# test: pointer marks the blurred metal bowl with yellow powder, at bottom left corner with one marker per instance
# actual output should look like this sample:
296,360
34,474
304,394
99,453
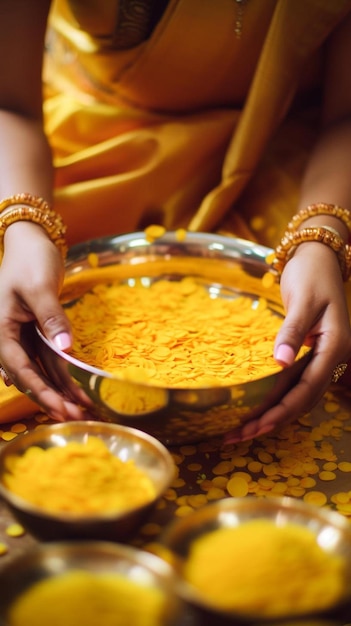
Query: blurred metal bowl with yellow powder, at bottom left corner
66,583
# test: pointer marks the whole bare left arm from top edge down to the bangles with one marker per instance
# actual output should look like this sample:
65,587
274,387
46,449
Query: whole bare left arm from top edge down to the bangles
25,160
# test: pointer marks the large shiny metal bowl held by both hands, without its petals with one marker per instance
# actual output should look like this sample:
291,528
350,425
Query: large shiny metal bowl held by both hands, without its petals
227,267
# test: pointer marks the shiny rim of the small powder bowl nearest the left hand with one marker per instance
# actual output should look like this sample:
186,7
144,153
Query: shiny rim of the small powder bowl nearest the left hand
23,505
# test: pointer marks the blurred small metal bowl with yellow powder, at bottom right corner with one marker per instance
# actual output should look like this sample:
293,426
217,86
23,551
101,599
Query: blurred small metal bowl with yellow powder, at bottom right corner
262,560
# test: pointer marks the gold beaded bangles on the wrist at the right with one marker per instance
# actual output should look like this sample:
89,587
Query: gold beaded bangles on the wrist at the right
322,234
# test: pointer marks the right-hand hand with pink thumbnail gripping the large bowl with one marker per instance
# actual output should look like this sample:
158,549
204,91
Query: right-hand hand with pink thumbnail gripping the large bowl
316,315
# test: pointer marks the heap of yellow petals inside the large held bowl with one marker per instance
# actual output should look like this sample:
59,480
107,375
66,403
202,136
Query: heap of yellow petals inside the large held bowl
173,334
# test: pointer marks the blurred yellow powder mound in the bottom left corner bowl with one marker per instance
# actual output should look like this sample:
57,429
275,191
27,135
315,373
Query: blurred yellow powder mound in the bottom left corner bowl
89,599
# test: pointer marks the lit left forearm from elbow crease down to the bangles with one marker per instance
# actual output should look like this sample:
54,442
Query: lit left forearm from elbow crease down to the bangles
25,157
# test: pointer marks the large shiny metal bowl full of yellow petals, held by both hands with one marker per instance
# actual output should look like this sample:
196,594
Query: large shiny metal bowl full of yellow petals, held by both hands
173,334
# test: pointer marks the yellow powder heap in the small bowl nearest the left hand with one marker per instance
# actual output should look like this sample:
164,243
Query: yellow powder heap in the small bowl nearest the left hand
83,478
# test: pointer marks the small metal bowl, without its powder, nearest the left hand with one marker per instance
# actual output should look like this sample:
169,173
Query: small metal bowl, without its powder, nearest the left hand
148,454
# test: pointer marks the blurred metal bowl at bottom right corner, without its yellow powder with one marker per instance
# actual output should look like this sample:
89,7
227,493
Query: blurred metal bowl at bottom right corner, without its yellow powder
332,531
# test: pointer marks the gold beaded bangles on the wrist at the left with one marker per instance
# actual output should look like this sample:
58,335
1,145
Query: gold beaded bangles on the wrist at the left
26,207
